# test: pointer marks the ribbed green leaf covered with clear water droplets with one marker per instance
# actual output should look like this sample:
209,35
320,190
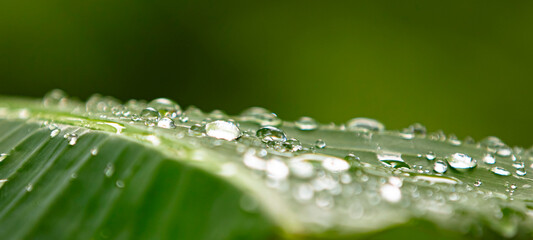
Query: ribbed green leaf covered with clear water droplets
106,170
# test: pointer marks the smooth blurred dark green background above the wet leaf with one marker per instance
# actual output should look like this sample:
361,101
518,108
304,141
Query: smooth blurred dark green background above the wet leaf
461,66
